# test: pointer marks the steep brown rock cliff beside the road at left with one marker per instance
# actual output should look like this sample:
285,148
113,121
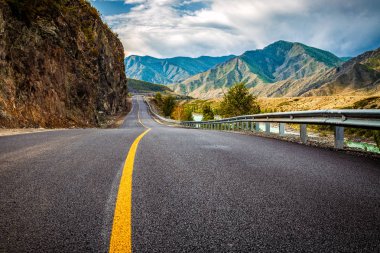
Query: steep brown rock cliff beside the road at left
60,65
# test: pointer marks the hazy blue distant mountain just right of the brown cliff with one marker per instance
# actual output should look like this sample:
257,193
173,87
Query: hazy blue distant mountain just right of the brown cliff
170,70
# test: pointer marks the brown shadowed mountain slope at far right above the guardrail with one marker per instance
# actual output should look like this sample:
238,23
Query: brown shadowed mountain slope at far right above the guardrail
358,76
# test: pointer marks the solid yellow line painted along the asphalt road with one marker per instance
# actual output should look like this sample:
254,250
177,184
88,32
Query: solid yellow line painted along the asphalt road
121,235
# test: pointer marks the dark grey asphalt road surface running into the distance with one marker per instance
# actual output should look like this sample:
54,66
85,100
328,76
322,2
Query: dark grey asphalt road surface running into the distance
193,190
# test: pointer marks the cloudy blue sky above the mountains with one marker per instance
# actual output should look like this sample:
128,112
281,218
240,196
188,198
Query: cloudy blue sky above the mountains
169,28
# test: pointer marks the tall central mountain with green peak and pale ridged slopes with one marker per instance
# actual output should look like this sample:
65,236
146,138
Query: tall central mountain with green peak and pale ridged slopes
277,62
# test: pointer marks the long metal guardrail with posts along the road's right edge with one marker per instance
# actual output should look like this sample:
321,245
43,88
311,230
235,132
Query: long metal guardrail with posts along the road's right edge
368,119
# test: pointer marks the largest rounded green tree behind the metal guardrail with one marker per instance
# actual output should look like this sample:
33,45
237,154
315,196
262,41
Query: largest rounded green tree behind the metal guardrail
238,101
